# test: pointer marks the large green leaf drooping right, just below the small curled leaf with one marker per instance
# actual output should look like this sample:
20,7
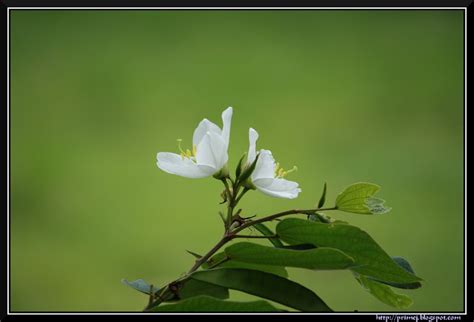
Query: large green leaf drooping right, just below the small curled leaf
370,258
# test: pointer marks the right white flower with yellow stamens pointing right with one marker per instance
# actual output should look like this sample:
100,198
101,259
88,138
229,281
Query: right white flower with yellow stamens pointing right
268,176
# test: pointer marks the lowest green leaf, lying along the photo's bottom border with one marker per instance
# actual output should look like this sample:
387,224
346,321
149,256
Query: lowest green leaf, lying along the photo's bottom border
209,304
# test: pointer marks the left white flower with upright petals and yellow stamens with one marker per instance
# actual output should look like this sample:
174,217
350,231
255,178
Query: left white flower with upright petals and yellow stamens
209,153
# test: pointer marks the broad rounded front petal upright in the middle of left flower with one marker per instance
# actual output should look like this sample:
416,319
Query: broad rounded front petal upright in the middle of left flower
212,151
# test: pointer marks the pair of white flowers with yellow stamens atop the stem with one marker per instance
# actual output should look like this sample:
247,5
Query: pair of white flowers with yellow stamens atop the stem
209,156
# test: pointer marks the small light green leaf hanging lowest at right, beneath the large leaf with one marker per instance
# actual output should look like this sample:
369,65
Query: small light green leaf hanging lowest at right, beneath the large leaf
384,293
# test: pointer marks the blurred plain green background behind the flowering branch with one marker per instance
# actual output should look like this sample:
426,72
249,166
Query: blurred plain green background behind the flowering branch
346,96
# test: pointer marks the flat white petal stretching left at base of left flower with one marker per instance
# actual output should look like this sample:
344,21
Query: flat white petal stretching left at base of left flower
173,163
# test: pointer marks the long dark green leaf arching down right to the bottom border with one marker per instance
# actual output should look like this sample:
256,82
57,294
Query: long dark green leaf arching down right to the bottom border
265,285
